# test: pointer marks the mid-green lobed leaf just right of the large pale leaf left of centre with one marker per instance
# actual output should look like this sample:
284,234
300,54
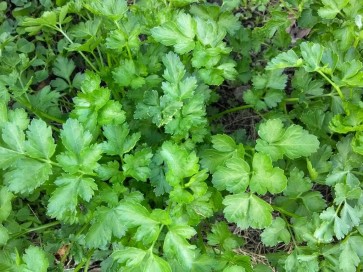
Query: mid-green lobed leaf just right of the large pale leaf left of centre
119,141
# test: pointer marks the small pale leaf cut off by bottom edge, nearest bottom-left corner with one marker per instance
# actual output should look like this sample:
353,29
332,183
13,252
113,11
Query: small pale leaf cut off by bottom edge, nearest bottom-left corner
35,260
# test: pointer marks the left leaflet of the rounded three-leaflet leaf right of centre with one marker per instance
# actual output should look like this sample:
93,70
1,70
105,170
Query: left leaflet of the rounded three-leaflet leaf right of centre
233,177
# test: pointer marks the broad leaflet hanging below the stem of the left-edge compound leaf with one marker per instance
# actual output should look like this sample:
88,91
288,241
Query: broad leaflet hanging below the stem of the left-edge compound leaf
26,175
